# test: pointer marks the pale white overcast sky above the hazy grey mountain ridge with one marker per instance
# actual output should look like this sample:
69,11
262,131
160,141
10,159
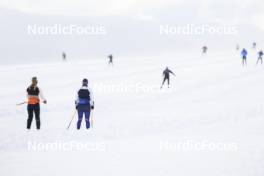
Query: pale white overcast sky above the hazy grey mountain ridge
124,7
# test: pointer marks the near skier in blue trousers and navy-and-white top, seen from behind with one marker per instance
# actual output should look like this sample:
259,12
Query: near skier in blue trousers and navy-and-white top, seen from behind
84,104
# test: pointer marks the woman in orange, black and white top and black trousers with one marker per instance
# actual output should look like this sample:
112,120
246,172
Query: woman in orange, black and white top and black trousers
34,94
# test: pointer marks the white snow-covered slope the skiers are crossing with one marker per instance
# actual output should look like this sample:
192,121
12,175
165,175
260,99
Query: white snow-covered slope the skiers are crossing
212,99
